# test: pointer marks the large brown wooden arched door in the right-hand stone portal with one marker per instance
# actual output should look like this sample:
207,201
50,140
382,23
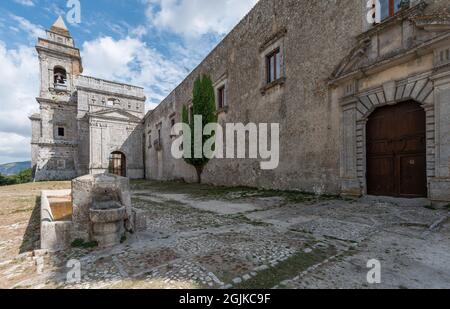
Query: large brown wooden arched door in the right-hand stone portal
396,151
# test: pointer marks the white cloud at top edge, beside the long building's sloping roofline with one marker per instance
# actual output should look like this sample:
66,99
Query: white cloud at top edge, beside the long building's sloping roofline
193,18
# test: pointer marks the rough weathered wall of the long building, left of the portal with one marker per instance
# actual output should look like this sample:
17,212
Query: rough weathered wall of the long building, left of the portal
315,36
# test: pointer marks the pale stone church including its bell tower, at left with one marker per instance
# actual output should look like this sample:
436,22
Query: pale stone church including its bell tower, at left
85,125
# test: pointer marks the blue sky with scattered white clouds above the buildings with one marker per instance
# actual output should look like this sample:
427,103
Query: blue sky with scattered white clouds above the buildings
152,43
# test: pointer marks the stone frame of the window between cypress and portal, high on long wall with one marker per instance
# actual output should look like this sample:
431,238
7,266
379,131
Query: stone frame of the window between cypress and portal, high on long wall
276,42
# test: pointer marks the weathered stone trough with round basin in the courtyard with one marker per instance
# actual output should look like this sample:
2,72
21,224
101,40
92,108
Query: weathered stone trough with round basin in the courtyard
97,209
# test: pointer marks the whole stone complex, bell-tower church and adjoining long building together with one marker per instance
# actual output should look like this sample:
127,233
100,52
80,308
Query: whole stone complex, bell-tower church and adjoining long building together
363,105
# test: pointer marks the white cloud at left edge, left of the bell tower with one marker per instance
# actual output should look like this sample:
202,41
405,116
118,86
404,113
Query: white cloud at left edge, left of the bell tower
19,86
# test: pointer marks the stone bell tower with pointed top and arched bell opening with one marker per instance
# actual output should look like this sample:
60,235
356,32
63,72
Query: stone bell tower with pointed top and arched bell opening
54,129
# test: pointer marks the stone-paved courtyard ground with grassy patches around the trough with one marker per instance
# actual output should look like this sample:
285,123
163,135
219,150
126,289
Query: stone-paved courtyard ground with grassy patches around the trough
210,237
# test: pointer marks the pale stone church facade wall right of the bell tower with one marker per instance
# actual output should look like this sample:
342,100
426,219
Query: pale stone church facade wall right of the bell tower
110,116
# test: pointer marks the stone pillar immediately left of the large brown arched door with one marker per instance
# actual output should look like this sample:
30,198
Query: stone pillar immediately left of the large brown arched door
350,185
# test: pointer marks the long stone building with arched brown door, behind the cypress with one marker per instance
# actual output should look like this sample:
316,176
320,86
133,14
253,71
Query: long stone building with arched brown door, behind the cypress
363,105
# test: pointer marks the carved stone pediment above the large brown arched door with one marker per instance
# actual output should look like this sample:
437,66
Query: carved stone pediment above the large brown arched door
398,37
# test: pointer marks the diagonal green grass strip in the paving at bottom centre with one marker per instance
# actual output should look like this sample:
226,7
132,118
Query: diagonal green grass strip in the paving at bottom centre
288,269
